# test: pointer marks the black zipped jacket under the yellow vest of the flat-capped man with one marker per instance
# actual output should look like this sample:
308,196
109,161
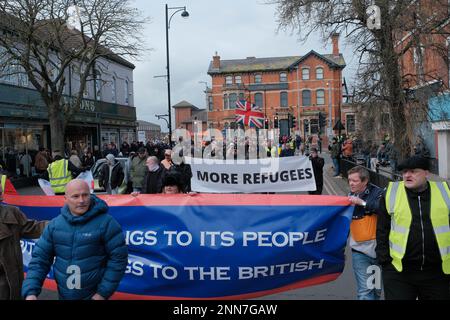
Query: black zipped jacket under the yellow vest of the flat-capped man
422,250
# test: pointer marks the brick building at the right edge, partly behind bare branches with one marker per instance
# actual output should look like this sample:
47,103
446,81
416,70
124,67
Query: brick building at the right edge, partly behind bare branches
426,78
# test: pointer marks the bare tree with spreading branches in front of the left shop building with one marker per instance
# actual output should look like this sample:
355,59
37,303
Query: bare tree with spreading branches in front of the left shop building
39,41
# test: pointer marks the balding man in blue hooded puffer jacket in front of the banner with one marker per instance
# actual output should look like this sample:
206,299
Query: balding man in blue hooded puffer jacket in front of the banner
89,247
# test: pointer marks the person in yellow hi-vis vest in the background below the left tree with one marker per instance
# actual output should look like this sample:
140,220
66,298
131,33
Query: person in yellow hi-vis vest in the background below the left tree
60,172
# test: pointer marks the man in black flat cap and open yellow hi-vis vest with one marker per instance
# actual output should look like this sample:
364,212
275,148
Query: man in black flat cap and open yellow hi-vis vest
413,235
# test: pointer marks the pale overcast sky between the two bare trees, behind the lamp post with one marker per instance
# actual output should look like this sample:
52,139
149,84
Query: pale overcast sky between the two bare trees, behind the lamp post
236,29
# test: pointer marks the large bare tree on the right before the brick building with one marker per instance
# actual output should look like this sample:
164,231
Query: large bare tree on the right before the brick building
406,26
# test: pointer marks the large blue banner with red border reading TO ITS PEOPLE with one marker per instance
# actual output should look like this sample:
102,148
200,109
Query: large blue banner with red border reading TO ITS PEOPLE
218,246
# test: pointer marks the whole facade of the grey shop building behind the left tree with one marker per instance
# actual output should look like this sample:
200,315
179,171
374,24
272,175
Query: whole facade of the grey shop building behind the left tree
107,113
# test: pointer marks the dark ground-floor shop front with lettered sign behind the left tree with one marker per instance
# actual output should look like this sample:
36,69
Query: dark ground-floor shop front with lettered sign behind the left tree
24,126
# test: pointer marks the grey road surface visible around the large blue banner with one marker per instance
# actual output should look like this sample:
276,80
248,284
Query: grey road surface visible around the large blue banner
344,288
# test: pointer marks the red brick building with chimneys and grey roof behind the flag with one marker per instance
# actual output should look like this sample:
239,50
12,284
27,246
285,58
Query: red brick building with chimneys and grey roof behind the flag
300,86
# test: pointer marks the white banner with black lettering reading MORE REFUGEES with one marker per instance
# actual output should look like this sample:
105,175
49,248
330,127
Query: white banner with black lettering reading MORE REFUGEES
287,174
